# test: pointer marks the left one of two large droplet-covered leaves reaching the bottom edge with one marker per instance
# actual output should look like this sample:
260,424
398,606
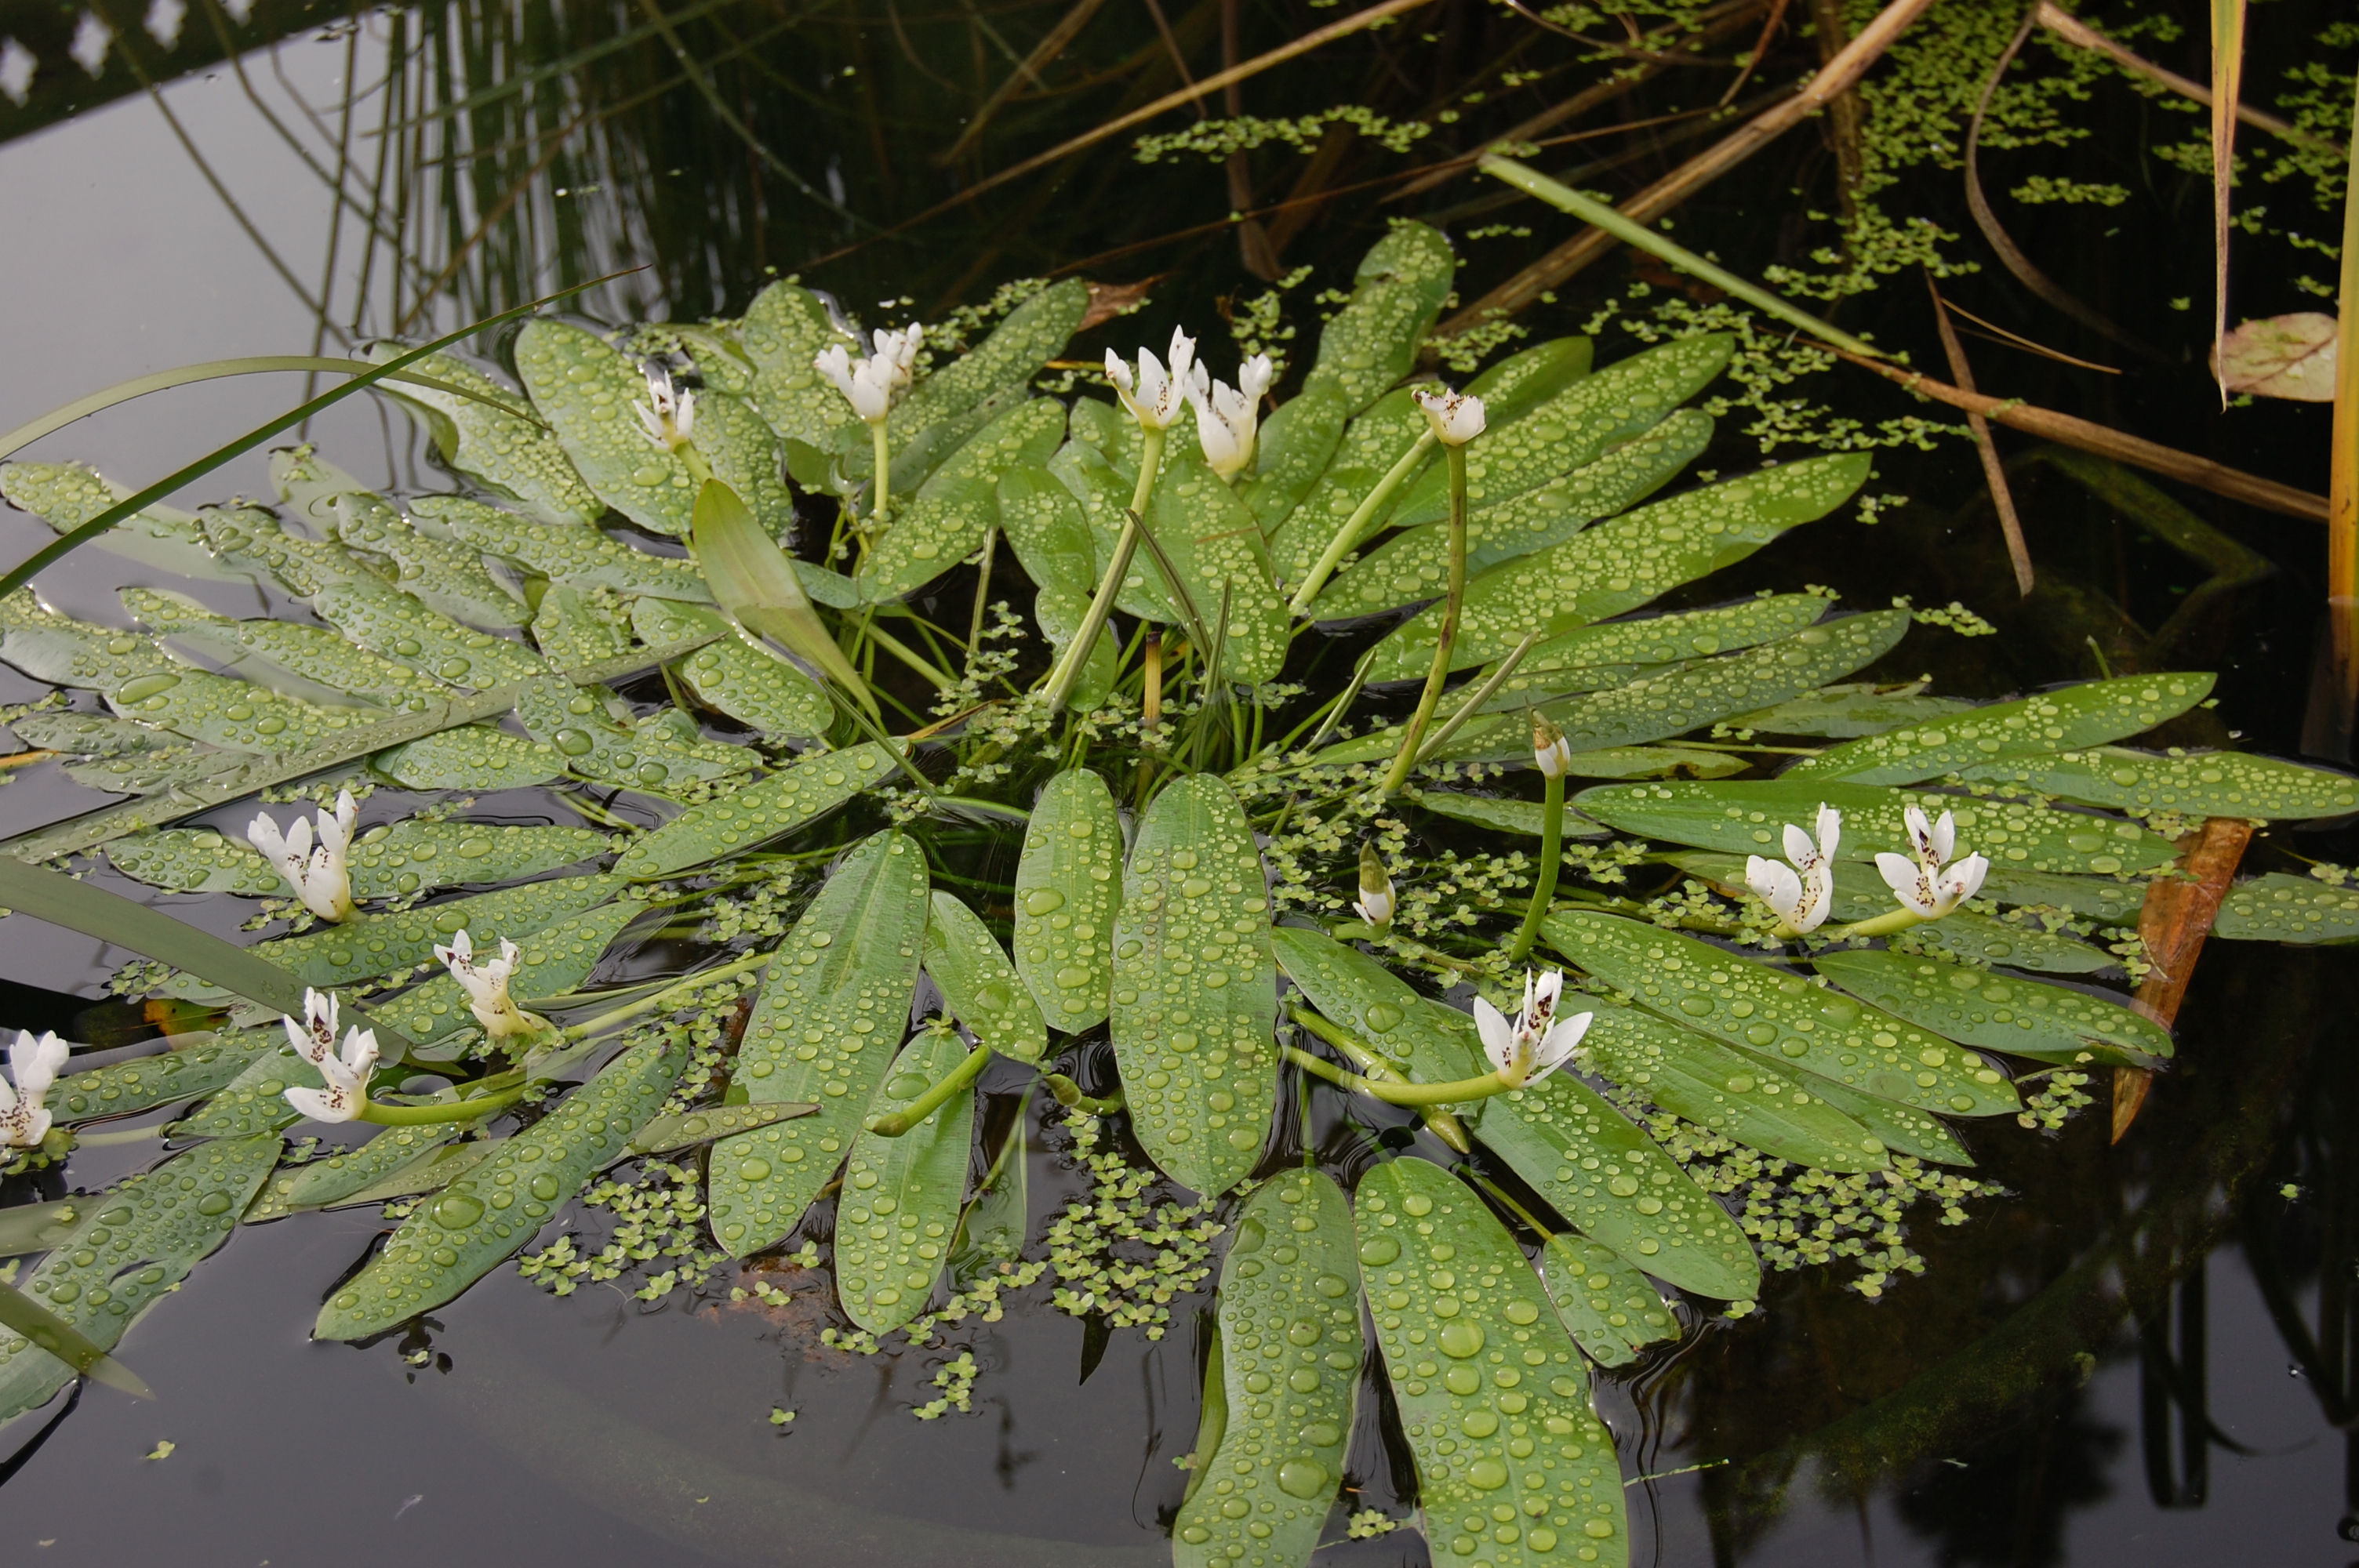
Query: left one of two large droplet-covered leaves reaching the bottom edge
1289,1371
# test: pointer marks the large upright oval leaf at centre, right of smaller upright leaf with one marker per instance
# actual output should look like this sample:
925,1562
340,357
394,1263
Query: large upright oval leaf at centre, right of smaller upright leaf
1197,989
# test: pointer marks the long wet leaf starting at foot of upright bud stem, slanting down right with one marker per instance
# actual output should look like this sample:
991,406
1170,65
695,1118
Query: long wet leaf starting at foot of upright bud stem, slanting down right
1770,1010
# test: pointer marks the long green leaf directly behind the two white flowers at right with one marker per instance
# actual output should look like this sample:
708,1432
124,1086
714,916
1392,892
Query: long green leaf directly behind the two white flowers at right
1747,819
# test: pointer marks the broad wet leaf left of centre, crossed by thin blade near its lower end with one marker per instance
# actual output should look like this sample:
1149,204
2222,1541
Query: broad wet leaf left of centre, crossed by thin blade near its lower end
827,1022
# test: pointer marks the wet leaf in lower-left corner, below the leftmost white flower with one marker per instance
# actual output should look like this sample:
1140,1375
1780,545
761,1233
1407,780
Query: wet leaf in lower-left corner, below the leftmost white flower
136,1244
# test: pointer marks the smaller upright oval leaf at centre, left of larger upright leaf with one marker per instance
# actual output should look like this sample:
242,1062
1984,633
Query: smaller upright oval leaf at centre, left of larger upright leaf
1070,888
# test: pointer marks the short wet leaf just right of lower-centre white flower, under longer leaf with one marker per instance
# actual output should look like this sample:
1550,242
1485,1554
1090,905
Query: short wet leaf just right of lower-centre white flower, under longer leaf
1728,1093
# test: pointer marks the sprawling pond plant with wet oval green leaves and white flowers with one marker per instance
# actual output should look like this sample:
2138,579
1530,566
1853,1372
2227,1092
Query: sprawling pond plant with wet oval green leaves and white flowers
1183,904
